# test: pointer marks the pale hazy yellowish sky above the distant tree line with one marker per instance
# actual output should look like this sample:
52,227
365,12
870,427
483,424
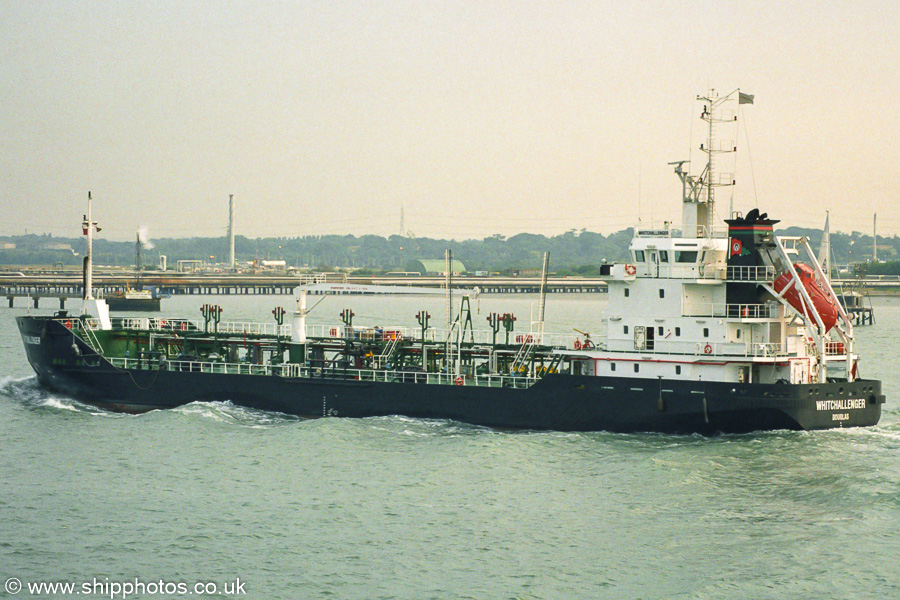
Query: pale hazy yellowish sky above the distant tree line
477,117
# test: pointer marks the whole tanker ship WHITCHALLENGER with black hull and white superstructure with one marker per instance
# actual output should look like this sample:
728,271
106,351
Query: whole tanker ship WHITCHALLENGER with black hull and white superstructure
708,328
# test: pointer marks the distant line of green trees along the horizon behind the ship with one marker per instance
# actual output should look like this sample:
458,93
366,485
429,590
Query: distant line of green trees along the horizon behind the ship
574,252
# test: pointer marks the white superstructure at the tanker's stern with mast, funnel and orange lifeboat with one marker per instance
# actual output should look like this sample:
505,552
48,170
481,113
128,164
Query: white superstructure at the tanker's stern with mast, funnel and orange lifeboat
730,302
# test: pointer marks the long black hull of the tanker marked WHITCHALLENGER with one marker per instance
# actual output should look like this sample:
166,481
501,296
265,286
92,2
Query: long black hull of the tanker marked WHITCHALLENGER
556,402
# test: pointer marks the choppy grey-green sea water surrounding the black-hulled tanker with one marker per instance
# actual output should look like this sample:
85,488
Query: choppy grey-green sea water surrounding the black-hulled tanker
215,500
